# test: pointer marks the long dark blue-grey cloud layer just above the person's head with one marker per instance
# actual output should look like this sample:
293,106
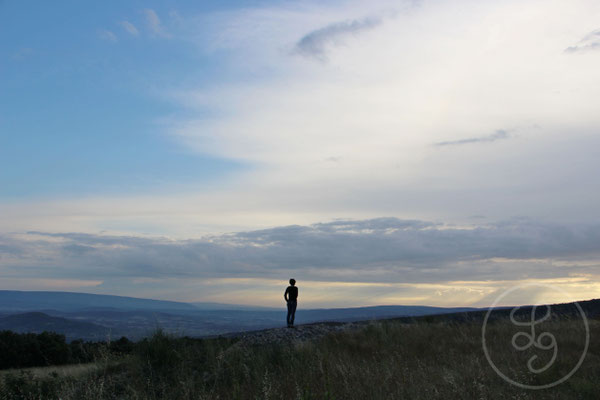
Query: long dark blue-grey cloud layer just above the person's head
382,248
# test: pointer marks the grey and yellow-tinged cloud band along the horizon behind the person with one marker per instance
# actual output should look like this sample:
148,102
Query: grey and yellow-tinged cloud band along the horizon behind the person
372,261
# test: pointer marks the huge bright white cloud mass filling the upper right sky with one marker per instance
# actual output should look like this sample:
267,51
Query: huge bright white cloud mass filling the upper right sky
377,106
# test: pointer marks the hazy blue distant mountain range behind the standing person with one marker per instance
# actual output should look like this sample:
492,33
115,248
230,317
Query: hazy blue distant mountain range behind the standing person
98,317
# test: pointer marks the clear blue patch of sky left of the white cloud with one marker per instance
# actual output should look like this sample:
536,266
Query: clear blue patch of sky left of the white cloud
79,110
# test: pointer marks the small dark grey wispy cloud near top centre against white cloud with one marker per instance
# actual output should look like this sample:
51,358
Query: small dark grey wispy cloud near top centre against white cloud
316,43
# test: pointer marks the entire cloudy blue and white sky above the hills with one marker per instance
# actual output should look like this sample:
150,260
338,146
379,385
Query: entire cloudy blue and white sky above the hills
384,152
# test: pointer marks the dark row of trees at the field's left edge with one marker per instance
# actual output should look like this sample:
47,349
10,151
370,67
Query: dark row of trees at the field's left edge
23,350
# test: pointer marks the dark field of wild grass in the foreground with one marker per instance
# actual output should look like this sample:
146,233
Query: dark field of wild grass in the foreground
383,360
